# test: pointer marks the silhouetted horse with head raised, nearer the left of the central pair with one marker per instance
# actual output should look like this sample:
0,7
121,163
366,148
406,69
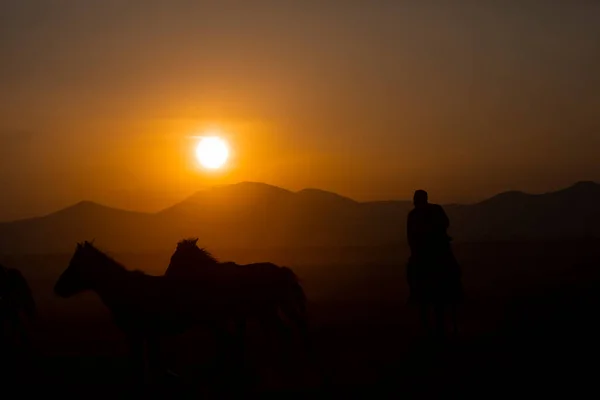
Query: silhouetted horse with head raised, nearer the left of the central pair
145,307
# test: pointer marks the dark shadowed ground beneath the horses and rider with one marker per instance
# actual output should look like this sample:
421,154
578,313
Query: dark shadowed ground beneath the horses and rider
529,326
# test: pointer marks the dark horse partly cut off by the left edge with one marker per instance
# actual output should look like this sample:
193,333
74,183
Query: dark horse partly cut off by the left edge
15,299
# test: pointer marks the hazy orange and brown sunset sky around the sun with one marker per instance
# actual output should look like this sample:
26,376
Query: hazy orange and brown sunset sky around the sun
371,99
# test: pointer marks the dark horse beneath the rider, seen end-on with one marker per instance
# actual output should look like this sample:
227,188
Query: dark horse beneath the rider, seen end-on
435,283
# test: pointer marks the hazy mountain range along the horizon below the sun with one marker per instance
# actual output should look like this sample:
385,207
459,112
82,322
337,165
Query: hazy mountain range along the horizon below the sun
257,215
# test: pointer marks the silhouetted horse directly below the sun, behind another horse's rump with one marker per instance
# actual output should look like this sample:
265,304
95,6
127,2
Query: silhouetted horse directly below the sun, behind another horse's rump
268,293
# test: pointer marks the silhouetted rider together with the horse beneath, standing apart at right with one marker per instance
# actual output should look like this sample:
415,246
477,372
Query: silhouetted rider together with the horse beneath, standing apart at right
433,274
